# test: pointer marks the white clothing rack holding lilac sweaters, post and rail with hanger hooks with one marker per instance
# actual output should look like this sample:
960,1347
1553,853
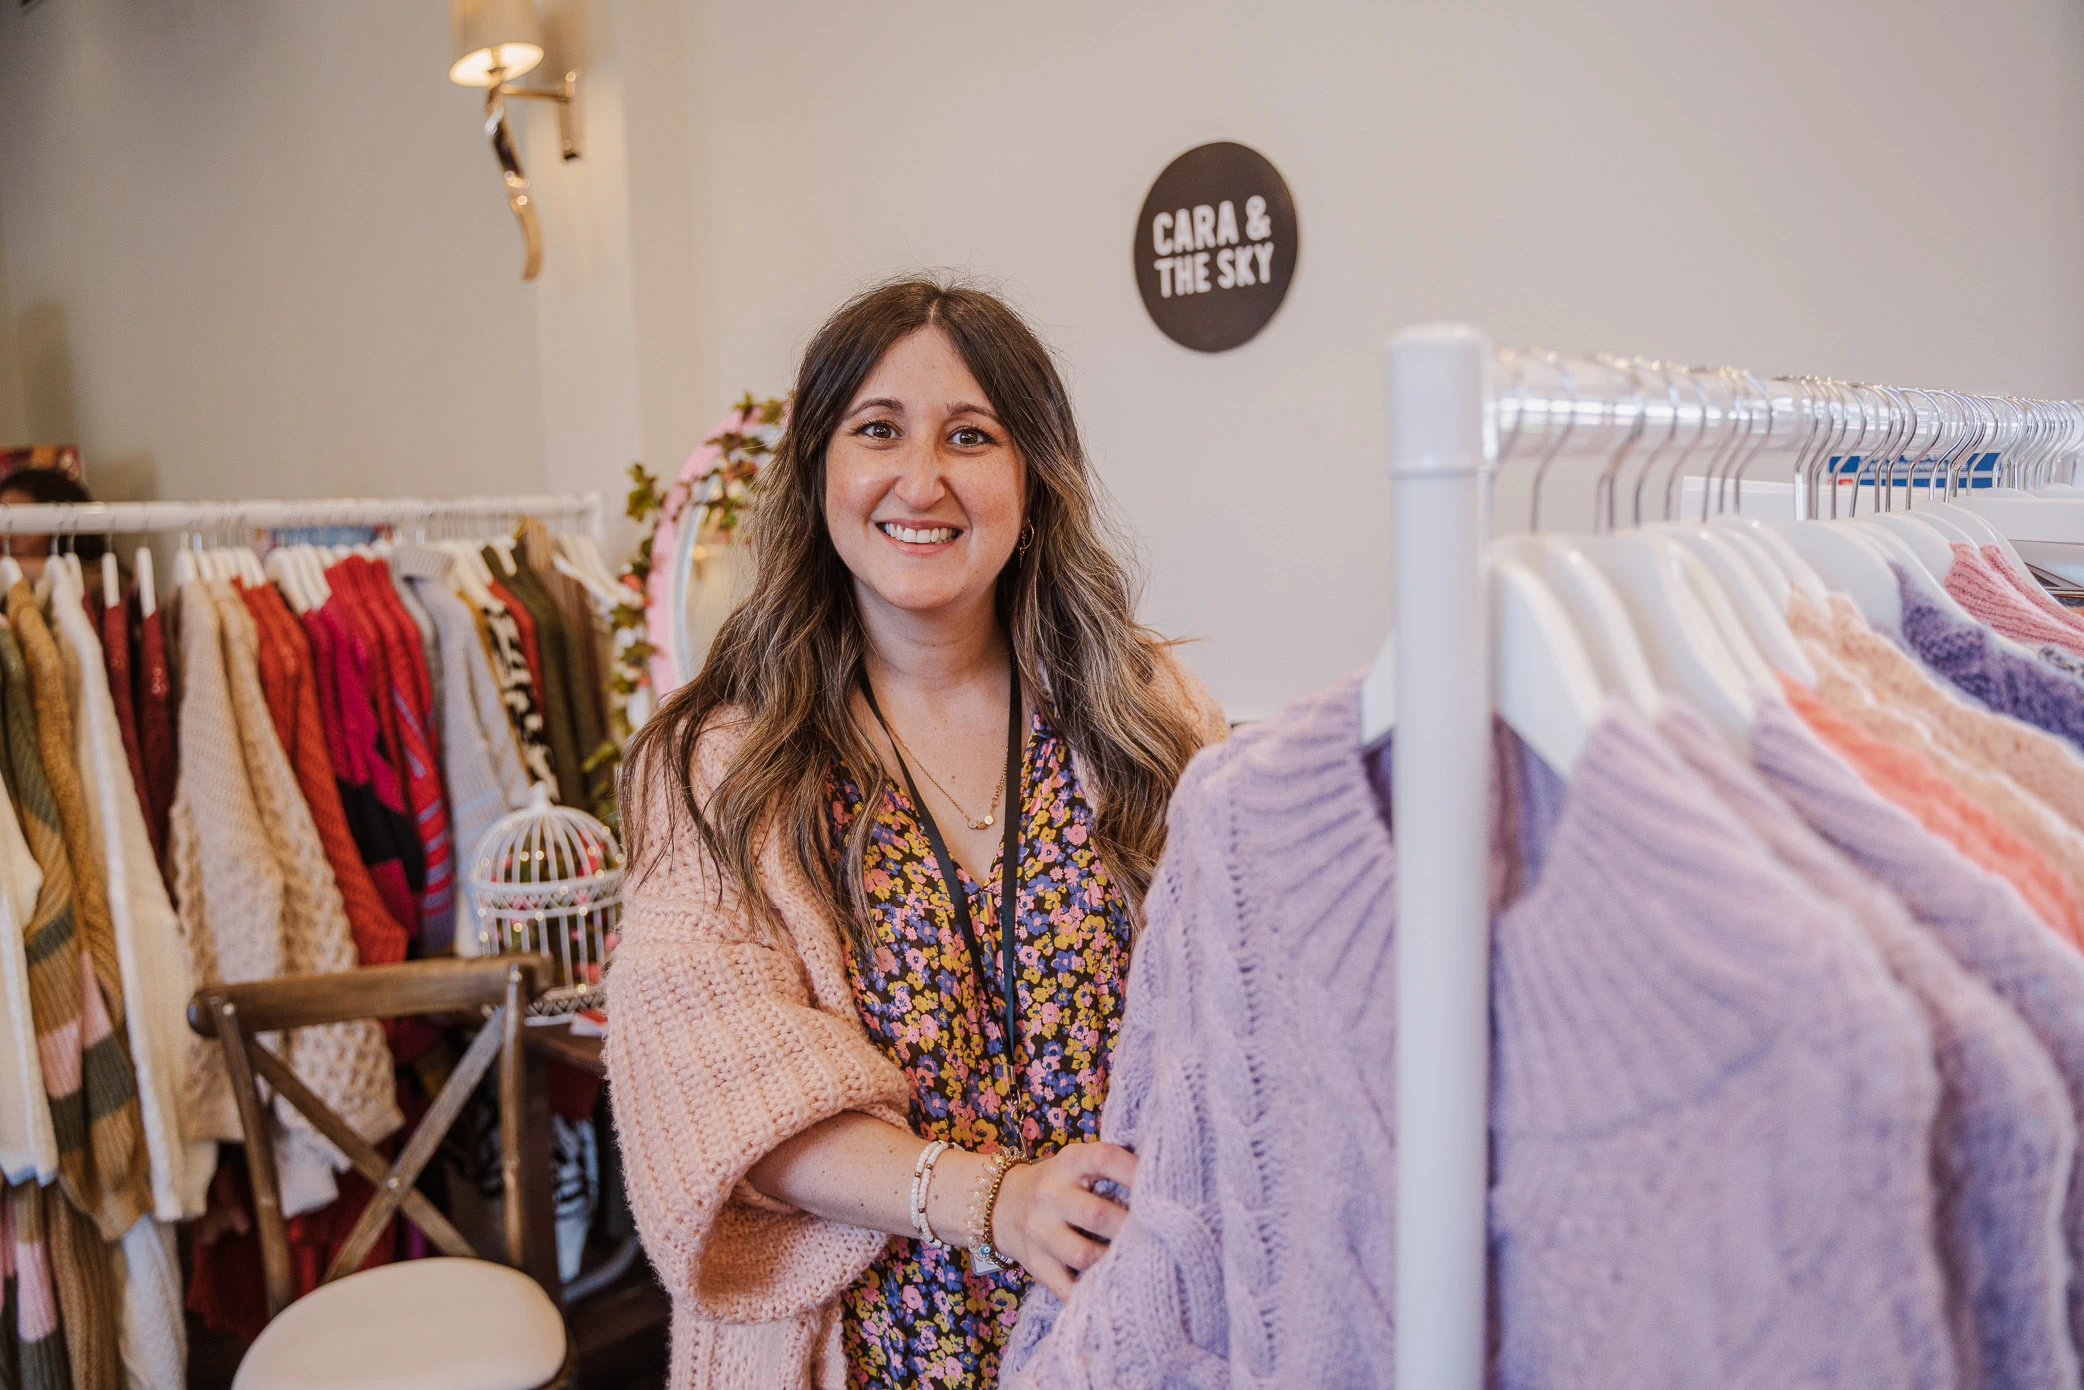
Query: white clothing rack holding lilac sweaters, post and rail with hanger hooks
1445,424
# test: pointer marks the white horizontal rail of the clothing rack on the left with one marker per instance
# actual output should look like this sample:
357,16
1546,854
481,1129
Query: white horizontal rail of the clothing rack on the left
282,514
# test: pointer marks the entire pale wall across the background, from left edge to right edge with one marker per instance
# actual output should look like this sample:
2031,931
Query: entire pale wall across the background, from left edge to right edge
259,247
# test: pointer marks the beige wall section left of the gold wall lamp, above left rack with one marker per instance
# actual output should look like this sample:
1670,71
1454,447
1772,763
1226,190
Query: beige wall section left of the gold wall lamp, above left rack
259,251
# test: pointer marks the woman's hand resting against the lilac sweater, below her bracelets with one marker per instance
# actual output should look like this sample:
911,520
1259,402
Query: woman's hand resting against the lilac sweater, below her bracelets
1047,1212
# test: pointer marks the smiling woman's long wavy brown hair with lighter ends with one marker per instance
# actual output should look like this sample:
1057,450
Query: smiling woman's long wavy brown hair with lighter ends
789,660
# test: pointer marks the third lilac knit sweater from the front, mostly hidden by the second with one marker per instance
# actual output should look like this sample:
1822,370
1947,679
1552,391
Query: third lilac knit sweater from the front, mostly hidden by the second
2004,1139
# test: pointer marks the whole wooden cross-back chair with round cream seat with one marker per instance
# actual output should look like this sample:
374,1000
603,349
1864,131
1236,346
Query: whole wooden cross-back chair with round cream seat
462,1322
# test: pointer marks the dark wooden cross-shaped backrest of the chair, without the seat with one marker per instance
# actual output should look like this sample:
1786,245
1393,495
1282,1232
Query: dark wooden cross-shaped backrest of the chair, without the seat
239,1014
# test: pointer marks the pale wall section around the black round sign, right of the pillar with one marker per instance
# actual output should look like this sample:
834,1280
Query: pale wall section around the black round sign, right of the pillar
1866,189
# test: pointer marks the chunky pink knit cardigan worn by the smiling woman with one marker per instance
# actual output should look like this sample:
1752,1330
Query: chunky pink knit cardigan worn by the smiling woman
722,1047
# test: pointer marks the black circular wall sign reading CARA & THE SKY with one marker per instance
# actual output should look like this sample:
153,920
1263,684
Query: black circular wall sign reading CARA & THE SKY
1216,247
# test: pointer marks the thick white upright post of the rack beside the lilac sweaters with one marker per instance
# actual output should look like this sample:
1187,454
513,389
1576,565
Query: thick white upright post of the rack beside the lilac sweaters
1441,449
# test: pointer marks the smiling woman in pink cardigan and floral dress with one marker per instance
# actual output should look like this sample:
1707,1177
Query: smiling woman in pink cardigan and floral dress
891,849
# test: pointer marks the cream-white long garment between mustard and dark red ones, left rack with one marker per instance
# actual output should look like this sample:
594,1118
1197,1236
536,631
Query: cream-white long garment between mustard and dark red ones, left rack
147,930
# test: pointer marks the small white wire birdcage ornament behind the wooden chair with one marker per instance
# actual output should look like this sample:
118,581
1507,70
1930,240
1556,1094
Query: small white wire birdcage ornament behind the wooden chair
551,880
